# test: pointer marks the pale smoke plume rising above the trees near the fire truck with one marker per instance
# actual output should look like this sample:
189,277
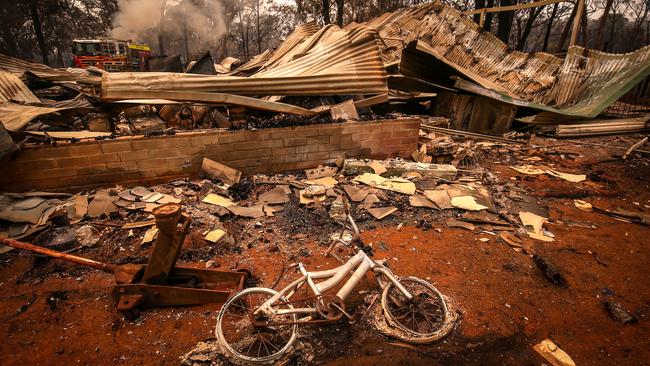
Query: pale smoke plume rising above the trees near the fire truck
200,20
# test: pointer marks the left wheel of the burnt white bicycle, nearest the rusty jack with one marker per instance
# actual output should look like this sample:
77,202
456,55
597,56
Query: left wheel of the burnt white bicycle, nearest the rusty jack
250,338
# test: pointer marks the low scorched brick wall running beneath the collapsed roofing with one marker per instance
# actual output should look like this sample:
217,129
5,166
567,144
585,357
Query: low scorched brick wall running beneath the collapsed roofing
144,161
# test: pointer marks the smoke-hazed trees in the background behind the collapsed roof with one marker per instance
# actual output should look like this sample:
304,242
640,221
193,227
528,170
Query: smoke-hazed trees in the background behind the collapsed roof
43,30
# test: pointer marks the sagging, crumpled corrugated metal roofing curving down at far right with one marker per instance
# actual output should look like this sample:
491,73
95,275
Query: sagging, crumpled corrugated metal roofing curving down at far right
584,83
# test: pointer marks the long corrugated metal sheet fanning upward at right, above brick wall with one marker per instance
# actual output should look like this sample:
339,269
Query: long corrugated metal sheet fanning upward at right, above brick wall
349,64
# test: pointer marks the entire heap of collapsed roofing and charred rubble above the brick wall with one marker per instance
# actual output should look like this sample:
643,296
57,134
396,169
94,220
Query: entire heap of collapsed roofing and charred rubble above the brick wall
332,74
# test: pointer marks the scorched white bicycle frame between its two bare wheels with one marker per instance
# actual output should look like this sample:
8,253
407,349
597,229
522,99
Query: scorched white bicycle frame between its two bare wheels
332,277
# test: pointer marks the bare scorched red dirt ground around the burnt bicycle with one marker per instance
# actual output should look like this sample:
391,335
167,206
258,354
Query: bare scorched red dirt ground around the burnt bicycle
54,312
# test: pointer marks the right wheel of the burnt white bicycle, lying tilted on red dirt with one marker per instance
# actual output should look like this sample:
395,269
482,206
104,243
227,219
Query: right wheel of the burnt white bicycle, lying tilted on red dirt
422,317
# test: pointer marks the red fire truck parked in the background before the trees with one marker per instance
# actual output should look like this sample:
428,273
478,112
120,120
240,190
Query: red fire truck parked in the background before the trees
110,54
